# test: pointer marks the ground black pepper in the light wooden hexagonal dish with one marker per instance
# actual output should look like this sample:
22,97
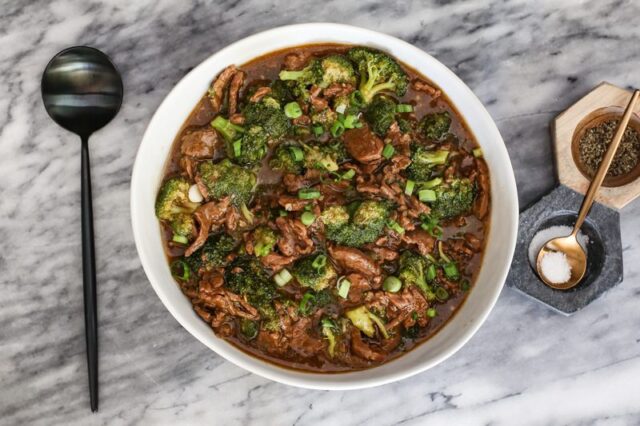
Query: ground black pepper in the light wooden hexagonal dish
596,140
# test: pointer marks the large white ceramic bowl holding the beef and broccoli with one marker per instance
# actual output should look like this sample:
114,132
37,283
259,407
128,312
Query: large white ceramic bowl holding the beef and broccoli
166,122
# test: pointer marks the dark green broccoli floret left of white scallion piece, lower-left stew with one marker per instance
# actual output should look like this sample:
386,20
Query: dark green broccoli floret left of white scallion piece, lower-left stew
246,277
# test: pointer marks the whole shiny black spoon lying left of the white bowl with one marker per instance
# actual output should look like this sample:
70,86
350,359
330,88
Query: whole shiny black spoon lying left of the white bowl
82,92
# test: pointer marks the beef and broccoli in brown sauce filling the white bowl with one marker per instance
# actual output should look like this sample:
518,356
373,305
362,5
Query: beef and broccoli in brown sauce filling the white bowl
324,208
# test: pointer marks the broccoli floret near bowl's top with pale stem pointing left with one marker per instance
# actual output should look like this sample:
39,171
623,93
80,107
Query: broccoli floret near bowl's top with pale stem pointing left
323,72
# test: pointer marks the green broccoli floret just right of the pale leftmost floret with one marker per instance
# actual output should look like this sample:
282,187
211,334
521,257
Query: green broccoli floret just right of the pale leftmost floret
227,179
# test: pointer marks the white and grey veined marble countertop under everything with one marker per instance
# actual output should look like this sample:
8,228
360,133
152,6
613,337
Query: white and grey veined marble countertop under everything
527,365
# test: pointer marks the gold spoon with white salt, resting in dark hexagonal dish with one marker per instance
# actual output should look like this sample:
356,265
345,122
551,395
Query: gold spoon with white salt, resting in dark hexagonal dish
569,245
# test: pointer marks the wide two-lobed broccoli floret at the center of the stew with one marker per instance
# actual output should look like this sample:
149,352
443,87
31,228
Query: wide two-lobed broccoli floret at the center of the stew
365,225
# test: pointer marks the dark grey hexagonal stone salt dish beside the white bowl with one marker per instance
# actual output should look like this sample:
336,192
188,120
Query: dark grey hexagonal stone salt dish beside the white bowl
604,267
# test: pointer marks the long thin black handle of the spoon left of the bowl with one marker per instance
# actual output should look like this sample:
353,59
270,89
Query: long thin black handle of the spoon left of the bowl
89,278
